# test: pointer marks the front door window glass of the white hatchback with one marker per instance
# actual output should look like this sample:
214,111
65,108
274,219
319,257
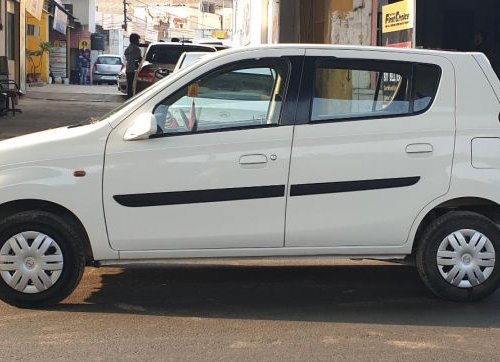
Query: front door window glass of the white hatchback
240,96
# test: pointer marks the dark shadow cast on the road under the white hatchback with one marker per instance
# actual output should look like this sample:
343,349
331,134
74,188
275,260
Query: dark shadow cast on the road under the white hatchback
382,294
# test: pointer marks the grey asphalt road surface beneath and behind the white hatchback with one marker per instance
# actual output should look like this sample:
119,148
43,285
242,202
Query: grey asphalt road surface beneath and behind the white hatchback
254,310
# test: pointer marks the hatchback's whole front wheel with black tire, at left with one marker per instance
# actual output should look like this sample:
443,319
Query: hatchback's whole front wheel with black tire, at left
47,253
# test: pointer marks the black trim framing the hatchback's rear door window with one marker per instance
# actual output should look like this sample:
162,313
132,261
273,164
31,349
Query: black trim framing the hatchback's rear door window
306,96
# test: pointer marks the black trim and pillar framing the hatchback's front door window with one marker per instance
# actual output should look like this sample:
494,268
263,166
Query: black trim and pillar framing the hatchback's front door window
295,66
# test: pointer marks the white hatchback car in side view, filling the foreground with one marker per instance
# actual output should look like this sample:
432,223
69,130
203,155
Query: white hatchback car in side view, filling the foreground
273,151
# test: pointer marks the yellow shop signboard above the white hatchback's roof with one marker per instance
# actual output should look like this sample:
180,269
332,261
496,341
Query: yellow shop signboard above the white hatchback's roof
398,20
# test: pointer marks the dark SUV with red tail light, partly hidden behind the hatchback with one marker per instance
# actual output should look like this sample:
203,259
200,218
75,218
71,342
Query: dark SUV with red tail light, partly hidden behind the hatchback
160,60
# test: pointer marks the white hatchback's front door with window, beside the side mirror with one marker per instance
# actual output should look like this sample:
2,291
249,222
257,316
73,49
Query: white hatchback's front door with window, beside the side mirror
215,175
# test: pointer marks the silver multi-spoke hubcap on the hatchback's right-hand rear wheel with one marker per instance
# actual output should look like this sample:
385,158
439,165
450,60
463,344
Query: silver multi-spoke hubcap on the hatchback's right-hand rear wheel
466,258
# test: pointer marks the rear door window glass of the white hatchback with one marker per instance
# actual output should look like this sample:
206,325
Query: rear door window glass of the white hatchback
359,89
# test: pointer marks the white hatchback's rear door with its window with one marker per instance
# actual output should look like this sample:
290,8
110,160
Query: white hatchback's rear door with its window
372,147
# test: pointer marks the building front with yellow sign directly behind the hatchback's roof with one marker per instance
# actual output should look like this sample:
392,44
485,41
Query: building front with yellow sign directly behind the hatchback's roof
461,25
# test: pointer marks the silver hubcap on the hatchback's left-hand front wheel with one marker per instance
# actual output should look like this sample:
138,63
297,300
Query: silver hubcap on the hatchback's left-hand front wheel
30,262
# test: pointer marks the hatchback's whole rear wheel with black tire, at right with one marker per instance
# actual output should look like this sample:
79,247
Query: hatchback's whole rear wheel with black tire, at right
458,256
